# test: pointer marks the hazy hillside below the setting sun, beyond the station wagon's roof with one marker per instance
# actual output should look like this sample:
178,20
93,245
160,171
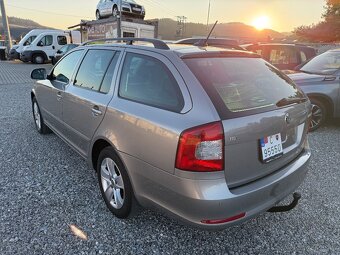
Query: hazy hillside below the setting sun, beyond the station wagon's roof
168,28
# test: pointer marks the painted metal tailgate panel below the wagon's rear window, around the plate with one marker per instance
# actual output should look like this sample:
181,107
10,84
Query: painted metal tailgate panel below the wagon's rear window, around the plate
243,149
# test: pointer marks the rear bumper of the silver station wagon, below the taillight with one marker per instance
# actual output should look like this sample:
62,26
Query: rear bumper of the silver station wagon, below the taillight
211,199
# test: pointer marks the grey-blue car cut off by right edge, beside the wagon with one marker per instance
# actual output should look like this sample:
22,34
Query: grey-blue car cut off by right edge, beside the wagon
319,79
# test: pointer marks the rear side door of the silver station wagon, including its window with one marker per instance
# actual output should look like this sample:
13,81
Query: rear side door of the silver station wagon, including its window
86,99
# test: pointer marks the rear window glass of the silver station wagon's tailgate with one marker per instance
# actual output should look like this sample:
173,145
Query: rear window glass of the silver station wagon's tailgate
243,86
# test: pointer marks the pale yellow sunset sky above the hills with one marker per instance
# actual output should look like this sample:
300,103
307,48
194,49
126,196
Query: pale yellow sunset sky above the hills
280,15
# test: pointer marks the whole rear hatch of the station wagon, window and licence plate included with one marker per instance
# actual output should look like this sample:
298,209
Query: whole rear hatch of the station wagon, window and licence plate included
261,109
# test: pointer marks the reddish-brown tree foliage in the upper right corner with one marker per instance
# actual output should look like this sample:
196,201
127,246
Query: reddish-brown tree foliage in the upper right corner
328,30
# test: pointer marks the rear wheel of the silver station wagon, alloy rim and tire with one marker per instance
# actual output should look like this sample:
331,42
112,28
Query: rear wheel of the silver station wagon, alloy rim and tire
115,185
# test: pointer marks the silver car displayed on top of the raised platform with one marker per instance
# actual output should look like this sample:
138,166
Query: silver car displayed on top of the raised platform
110,8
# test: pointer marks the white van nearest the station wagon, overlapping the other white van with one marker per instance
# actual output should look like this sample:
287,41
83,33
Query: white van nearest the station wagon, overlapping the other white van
45,45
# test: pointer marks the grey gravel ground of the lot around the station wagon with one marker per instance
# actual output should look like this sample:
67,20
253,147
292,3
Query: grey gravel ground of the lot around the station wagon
48,193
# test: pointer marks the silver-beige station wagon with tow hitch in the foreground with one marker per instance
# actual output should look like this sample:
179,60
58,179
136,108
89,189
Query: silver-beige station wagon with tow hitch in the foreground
210,136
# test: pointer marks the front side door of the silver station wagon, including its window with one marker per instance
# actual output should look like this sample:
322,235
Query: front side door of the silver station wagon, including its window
50,92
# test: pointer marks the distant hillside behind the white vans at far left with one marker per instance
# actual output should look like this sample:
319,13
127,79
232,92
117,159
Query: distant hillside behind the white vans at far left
20,27
